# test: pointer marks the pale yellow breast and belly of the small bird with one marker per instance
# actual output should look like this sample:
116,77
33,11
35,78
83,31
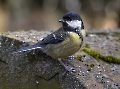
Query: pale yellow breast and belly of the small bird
68,47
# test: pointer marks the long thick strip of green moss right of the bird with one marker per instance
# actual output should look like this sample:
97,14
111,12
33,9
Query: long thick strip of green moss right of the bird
98,56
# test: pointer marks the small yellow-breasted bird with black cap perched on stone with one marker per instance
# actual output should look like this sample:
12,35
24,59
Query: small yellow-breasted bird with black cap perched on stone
64,42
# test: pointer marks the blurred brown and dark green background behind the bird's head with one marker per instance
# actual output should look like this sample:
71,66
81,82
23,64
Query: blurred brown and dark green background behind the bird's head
44,14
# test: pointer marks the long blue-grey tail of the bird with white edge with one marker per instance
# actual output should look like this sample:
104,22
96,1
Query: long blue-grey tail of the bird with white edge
28,48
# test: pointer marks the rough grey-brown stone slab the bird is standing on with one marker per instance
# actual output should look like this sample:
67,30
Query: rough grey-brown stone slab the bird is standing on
36,70
